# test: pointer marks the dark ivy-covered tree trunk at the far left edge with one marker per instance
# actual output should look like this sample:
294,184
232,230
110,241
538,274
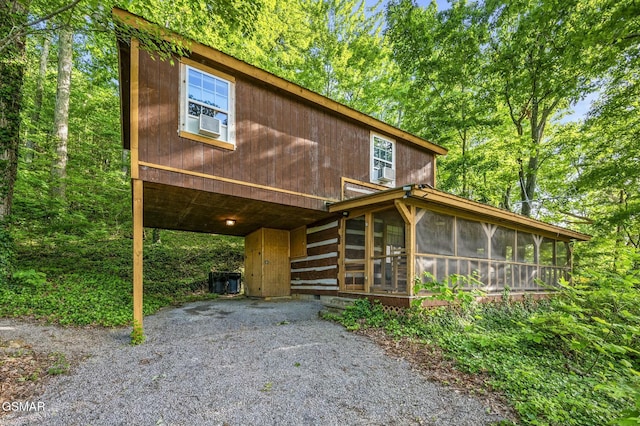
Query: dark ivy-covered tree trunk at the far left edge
12,15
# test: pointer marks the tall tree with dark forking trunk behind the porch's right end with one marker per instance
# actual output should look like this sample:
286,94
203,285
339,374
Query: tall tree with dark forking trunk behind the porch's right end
544,57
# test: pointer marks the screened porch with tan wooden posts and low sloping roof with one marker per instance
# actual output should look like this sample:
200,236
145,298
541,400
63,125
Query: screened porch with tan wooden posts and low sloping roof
390,237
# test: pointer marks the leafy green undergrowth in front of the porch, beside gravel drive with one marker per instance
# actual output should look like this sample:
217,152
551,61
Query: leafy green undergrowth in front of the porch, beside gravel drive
571,360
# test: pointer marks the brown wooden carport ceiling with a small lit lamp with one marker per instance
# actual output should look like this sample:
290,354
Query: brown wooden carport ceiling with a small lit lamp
170,207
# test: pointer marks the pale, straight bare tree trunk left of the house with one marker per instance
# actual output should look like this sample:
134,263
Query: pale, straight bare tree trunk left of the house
61,114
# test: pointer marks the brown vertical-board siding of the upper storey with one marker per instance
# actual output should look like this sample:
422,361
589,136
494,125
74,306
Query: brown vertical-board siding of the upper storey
281,142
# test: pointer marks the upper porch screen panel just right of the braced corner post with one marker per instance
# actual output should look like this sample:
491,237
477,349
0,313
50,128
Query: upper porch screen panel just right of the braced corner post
434,233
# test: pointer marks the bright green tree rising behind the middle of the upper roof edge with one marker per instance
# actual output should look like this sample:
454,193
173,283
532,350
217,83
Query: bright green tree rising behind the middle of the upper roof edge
346,59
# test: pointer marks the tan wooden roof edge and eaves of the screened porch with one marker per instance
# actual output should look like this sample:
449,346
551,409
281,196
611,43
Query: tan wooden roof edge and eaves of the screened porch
424,196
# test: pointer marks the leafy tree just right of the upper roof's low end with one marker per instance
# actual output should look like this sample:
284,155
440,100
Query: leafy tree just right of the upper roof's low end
440,55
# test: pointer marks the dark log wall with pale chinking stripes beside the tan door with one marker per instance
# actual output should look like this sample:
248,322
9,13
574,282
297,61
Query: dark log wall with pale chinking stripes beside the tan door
317,273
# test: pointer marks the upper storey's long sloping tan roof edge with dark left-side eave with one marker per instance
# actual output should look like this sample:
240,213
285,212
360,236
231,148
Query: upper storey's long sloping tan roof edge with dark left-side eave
250,72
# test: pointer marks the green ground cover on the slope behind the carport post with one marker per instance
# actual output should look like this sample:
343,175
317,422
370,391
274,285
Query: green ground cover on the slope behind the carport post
73,282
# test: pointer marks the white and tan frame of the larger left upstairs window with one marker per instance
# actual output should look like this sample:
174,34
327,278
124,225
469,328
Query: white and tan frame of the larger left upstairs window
184,131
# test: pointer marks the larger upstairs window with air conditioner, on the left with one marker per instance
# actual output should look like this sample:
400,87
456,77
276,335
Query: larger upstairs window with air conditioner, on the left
207,107
